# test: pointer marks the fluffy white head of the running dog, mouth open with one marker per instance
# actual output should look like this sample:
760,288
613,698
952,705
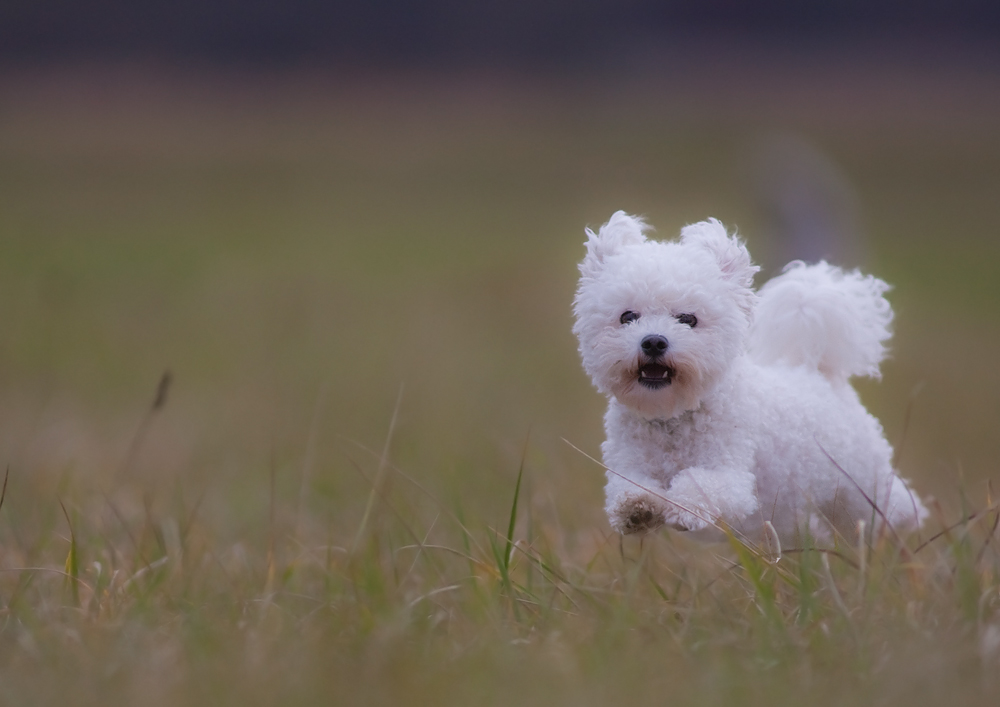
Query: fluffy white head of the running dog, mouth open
659,322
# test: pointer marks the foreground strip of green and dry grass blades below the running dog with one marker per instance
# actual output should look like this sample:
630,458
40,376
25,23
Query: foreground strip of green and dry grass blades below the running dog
426,606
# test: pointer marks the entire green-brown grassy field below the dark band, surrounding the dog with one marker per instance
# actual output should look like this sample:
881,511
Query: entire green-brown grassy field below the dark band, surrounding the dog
357,486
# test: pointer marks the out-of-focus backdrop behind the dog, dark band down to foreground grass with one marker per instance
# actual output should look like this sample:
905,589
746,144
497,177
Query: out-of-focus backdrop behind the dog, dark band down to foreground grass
316,215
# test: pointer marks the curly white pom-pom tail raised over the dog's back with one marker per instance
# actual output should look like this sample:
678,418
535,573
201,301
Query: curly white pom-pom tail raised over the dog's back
822,317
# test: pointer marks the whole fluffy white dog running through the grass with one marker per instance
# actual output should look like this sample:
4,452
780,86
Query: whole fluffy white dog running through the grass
732,409
